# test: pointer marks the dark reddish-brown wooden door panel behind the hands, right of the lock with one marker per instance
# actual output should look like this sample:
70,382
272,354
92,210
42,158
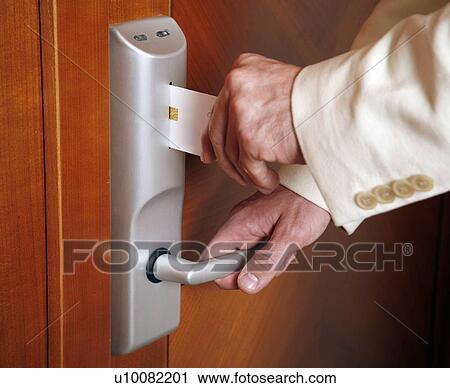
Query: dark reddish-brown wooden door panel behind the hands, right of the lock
301,319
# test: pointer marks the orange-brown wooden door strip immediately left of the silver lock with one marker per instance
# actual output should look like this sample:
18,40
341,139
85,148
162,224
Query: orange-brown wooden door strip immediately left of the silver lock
76,106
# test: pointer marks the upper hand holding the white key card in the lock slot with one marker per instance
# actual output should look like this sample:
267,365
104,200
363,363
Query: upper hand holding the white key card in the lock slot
251,122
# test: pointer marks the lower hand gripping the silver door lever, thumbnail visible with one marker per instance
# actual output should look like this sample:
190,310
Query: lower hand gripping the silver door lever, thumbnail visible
287,221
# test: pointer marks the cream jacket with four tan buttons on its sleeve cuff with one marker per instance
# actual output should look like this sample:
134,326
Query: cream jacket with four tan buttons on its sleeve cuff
374,123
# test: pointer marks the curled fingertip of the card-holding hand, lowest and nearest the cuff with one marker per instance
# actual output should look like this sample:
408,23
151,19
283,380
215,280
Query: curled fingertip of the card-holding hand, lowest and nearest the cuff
261,175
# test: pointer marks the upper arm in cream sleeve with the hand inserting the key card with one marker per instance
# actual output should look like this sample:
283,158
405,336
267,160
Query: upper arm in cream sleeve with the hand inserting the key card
365,119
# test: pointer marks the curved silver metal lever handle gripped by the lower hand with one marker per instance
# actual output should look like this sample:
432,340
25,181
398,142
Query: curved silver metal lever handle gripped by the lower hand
170,268
